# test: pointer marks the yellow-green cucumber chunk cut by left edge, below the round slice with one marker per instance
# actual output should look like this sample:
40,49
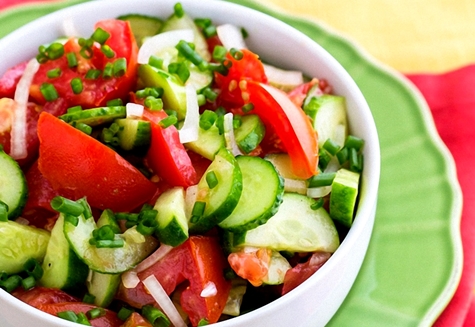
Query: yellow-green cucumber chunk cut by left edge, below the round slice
19,243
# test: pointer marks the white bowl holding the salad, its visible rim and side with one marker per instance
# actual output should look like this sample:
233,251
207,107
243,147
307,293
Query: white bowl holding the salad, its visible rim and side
315,301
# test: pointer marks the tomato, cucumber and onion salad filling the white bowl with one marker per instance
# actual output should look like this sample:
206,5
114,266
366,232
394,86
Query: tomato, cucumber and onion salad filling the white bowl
160,173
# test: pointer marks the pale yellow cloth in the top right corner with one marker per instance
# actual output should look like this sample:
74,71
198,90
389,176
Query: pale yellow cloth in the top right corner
412,36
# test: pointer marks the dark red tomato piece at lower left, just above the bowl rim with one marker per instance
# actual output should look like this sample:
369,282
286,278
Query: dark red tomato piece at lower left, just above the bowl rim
38,296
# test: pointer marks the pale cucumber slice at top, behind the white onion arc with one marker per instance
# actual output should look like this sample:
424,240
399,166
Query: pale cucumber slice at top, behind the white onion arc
186,22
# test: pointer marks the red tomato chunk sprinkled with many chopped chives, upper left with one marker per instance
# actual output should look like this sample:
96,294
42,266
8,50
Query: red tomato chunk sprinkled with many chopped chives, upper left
96,92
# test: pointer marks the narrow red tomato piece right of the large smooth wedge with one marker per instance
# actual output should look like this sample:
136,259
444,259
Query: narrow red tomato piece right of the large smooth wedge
167,157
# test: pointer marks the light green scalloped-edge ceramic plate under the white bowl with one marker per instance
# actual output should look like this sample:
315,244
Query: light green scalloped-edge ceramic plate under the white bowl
414,260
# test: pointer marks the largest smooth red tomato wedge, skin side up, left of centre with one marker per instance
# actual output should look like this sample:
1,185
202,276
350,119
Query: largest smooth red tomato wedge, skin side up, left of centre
73,161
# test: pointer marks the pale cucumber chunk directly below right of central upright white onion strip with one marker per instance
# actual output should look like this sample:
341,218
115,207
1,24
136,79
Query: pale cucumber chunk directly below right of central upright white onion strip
209,142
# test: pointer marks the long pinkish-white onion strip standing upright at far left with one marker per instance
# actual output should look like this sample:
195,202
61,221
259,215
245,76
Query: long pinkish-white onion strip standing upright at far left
22,92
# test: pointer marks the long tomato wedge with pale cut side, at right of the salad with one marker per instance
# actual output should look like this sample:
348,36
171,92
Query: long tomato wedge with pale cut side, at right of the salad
290,124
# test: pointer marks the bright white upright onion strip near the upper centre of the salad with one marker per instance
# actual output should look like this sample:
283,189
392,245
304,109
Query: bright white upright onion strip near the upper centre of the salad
189,130
